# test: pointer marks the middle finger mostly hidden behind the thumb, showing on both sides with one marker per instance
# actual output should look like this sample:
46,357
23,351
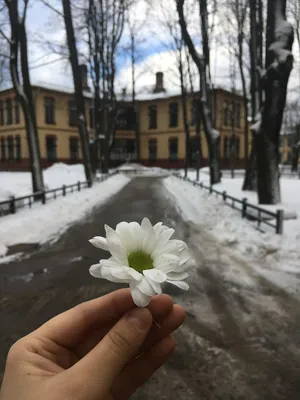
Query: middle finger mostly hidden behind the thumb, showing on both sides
160,307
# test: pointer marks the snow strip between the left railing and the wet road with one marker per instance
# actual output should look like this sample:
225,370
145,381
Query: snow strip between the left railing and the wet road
46,223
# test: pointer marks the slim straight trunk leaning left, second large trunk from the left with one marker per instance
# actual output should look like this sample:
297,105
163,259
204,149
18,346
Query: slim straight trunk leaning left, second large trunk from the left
77,78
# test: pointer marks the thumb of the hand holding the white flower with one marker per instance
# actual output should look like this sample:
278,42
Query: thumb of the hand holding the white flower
100,367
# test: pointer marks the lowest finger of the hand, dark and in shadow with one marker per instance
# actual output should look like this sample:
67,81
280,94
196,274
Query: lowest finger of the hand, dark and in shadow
140,370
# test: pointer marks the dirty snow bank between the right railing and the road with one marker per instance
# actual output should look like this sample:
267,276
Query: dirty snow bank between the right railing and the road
276,252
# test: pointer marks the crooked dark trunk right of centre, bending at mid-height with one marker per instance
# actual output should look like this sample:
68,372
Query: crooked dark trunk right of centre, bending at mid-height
212,136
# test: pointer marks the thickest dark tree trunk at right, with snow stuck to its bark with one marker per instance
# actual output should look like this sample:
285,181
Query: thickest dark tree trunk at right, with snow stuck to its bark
279,63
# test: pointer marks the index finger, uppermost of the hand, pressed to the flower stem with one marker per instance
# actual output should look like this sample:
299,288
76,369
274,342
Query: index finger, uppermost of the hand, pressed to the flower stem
68,328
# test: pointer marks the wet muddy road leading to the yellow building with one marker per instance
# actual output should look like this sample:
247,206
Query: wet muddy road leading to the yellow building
241,336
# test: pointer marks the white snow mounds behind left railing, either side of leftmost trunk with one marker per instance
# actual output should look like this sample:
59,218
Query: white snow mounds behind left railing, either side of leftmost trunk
59,174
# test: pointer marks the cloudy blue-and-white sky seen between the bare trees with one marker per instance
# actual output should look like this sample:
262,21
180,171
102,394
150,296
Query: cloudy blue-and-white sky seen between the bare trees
155,53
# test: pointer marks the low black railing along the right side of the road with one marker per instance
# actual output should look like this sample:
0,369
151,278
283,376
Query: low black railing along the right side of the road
248,210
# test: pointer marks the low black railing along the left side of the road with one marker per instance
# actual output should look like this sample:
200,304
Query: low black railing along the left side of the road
15,203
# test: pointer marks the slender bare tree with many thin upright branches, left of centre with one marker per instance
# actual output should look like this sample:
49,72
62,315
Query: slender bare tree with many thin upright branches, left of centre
105,24
